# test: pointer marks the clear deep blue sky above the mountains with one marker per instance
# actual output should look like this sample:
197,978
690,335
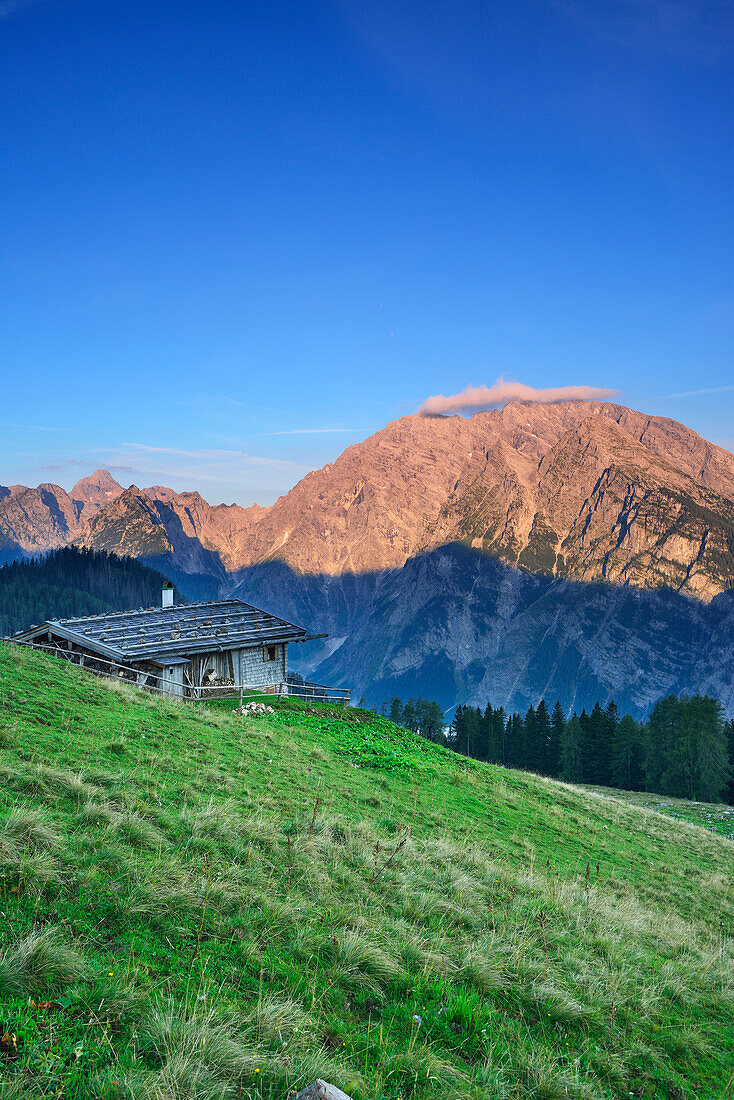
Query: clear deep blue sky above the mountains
236,238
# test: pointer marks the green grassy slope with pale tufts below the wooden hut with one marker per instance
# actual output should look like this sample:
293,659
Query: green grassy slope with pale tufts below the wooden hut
228,907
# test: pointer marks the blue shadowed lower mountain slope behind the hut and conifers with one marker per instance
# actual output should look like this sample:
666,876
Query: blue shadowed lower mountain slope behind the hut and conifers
461,626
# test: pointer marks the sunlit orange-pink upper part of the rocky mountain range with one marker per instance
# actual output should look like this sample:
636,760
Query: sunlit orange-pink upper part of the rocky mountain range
584,490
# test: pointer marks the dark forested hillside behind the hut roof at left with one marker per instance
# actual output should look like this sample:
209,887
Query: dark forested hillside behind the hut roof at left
68,582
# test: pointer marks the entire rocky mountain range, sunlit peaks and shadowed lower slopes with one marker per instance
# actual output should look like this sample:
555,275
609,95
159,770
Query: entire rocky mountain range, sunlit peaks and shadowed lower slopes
580,551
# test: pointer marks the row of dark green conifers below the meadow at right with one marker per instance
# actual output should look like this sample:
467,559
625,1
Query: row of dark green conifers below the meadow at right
685,750
